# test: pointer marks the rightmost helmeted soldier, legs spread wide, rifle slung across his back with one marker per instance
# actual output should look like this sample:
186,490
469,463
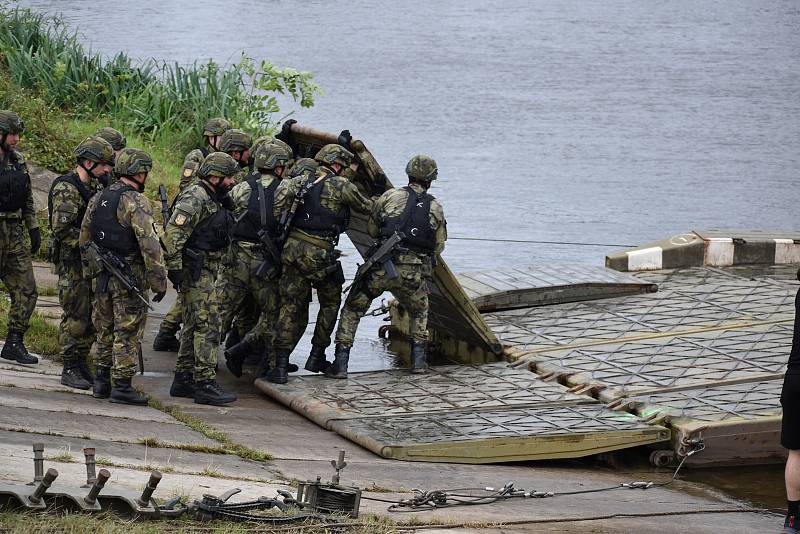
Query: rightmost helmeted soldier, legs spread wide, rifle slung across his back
413,212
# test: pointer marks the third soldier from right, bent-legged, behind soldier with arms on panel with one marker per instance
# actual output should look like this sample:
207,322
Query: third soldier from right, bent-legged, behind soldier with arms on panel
254,266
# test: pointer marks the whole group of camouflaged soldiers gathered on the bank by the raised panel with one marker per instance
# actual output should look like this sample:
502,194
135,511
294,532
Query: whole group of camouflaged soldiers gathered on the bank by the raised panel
251,232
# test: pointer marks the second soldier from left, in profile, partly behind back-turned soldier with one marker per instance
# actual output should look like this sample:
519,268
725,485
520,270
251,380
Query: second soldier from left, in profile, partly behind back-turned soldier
67,201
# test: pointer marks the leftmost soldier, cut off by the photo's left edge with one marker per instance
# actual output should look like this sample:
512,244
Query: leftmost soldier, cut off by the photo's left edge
16,212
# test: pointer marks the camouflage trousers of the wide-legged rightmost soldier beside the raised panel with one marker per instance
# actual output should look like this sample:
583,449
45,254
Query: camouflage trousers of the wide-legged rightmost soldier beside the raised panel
410,288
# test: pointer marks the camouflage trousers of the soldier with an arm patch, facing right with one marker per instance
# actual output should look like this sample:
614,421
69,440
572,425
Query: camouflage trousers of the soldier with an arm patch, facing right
200,337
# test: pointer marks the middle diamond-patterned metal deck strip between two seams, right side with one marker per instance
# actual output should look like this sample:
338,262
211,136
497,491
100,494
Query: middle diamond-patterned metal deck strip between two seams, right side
683,360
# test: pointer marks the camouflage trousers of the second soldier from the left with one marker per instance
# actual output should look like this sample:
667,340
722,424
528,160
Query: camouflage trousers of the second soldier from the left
76,333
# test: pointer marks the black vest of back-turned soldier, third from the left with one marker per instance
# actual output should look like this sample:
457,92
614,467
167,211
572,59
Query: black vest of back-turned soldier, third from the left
105,229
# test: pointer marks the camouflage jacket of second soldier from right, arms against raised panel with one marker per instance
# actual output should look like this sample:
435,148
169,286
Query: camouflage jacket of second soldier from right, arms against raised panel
336,192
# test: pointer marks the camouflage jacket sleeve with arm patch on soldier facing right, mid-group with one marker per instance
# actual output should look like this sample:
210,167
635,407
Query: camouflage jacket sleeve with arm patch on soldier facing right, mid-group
194,205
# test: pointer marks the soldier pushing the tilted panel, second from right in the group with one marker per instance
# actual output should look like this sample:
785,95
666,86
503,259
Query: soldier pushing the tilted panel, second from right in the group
309,255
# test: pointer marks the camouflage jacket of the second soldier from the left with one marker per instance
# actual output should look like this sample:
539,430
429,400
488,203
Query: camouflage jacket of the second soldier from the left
67,206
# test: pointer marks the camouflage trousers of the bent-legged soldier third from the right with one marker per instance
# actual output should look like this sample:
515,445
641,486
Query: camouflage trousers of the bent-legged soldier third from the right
241,294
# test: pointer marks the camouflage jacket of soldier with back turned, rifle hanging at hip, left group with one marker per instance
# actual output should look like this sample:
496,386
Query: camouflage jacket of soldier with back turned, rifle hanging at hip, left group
135,212
